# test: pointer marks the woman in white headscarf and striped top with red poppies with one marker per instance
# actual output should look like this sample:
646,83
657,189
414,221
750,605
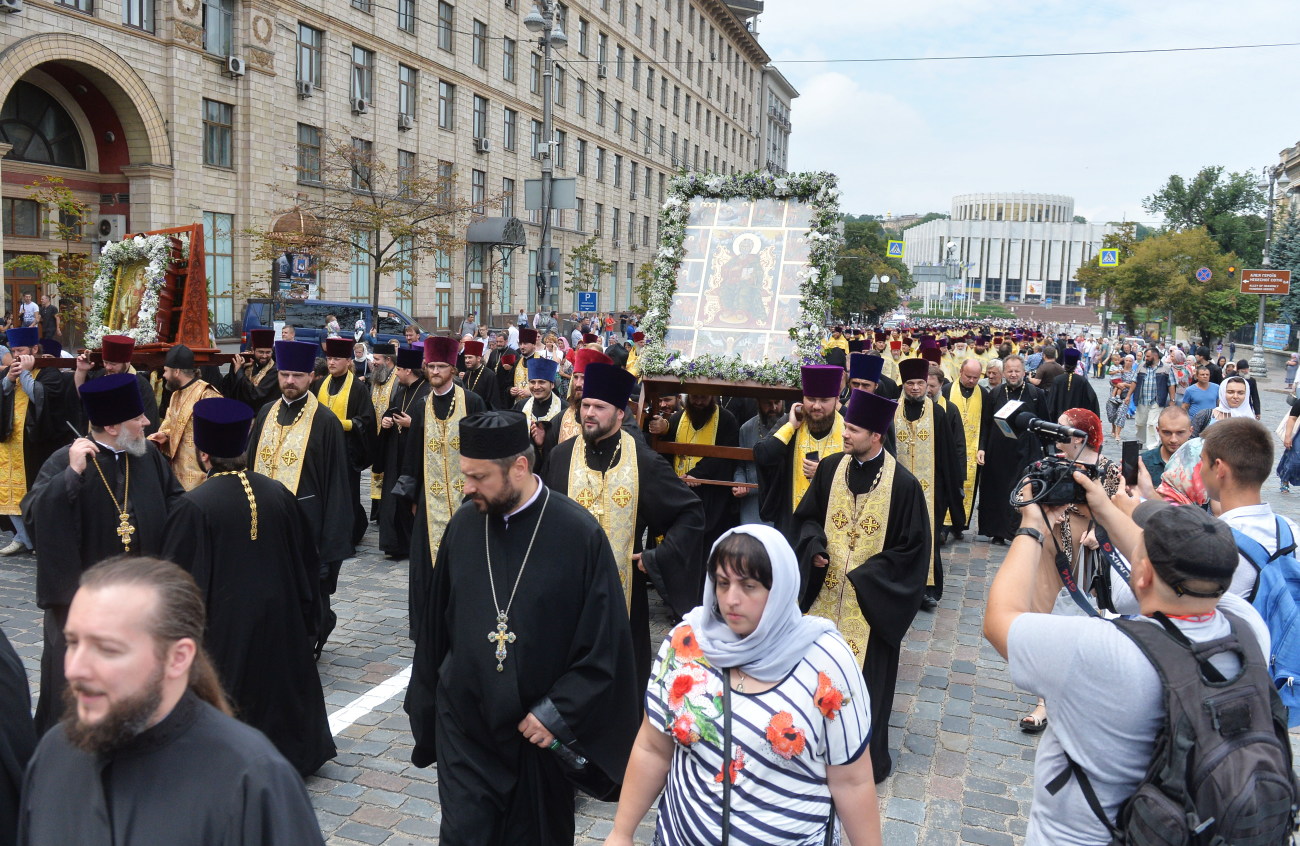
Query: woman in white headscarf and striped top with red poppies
757,717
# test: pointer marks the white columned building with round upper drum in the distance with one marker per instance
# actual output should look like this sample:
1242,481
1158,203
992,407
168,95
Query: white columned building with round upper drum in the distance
1012,248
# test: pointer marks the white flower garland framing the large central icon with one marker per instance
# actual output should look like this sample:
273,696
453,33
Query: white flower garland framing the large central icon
825,240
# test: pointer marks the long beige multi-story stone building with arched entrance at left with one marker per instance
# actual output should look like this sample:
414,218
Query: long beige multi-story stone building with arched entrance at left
167,112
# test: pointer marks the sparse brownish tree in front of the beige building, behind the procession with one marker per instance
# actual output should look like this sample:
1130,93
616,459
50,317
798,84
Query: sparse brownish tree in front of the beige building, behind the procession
354,205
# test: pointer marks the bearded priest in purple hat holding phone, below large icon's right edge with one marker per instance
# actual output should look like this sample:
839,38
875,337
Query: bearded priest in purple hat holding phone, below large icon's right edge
787,459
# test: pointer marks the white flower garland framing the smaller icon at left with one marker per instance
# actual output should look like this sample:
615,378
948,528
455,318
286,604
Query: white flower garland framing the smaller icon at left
154,250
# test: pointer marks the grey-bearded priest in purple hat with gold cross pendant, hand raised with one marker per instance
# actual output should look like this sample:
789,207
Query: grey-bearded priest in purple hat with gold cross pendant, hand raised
99,497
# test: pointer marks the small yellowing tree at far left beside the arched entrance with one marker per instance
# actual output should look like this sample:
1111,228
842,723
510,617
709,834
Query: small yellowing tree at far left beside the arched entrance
71,271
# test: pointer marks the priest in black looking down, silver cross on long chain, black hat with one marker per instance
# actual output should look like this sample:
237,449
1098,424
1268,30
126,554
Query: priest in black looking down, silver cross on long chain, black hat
523,683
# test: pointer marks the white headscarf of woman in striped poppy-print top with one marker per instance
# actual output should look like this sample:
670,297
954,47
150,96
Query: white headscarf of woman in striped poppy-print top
782,637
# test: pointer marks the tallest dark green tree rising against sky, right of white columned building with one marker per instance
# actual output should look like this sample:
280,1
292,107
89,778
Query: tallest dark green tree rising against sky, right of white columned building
1228,207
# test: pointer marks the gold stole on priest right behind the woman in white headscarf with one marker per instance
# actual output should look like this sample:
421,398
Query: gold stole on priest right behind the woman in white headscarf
855,532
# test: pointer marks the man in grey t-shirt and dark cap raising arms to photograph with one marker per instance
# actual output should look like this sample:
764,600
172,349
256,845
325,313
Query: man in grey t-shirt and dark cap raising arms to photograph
1104,699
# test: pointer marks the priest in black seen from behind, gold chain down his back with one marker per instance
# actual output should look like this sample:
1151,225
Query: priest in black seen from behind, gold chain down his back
245,540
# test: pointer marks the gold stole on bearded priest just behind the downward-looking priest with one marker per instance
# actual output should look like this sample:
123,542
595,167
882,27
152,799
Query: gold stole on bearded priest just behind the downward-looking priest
613,501
